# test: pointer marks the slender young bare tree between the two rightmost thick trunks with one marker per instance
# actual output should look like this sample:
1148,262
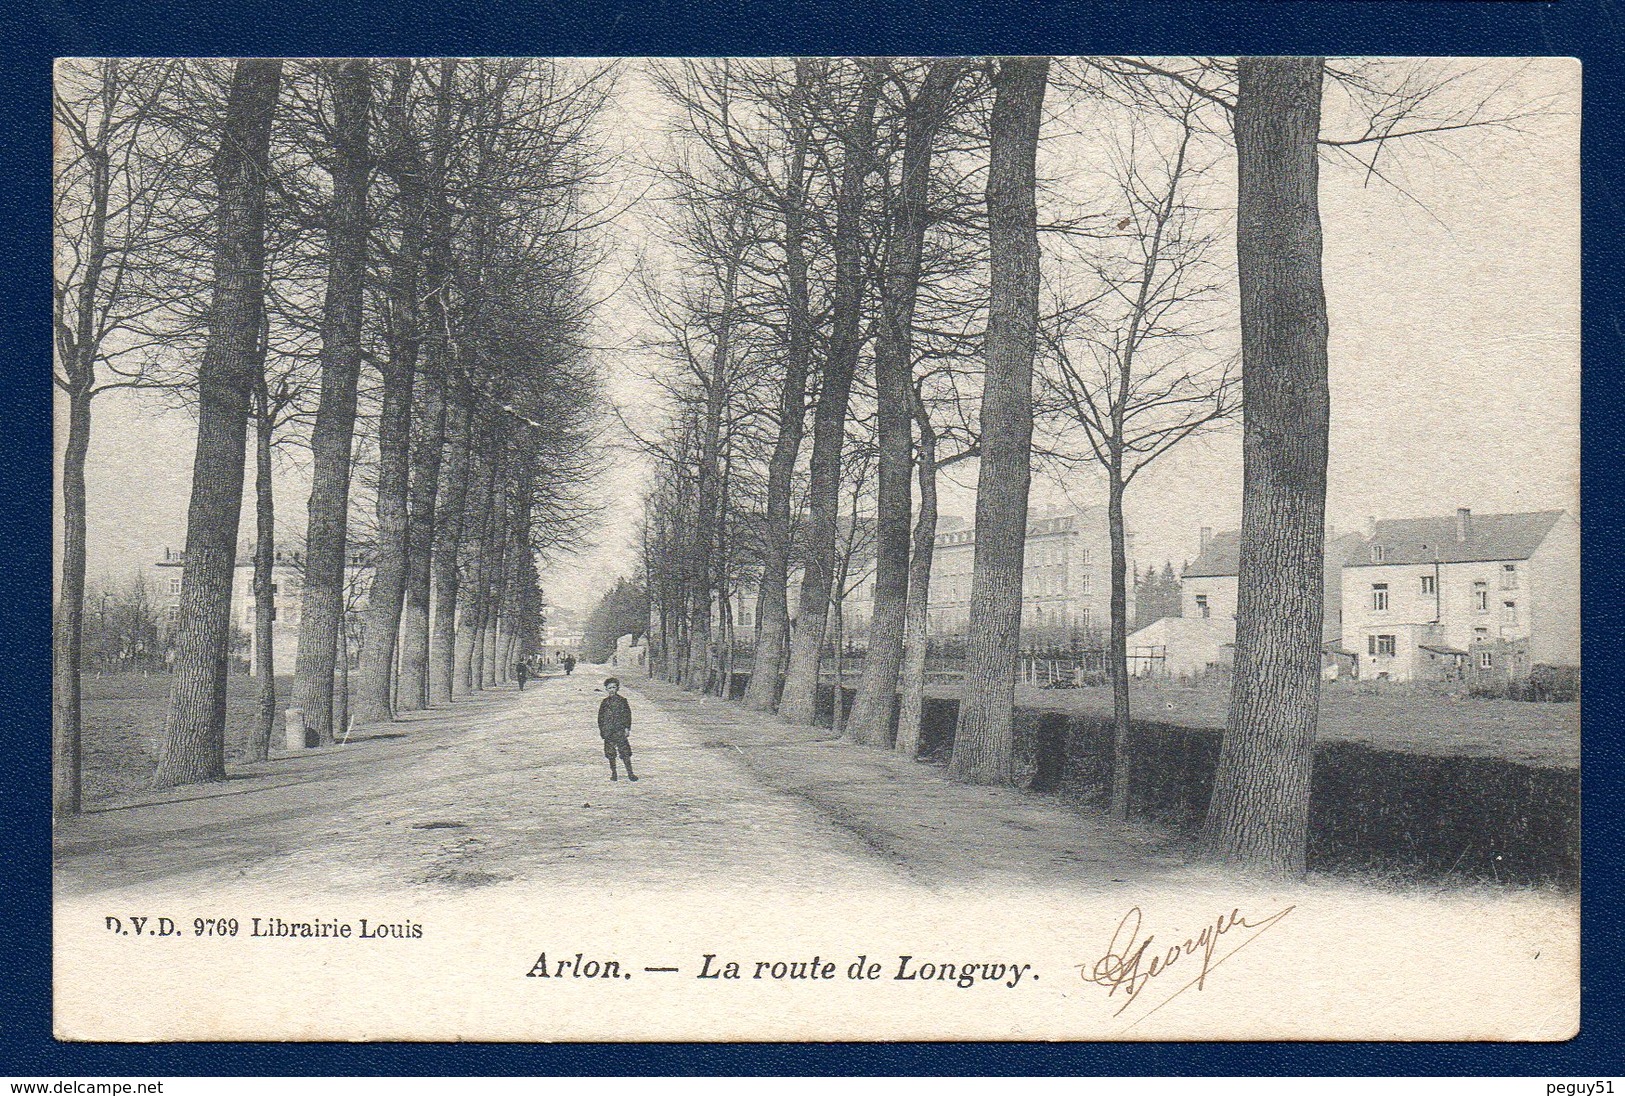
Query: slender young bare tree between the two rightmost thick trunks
1130,365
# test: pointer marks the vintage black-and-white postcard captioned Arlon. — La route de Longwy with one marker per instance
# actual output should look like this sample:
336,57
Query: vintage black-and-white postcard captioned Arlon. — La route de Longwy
817,549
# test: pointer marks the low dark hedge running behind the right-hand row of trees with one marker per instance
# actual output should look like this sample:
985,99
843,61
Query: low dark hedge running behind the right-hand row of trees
1371,811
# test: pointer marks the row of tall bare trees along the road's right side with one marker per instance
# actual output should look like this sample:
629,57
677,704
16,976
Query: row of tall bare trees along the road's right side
921,263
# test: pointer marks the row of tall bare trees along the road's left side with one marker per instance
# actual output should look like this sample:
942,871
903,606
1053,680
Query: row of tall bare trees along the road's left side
375,272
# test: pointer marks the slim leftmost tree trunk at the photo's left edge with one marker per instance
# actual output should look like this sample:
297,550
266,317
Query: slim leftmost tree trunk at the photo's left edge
67,759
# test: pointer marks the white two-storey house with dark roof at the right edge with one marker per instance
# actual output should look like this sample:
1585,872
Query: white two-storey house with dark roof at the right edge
1488,594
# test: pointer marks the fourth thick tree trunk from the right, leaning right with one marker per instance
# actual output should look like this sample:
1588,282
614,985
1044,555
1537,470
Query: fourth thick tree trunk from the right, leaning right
830,422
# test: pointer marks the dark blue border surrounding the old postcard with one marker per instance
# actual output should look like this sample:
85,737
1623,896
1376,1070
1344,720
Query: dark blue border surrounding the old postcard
33,33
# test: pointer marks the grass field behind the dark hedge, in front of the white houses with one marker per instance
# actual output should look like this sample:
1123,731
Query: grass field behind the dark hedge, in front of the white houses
1403,720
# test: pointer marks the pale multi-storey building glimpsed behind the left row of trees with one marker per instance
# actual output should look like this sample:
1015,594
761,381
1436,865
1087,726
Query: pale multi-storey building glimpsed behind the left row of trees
287,588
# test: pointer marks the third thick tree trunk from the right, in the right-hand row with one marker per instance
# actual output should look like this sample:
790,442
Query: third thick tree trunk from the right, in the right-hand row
872,715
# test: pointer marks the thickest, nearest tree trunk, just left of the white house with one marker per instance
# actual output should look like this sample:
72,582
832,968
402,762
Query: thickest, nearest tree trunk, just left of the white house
1259,817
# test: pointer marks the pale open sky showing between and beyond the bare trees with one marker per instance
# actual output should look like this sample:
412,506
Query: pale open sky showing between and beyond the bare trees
1454,354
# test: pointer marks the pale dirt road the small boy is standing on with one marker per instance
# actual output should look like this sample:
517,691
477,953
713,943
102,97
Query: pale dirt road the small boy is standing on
513,789
